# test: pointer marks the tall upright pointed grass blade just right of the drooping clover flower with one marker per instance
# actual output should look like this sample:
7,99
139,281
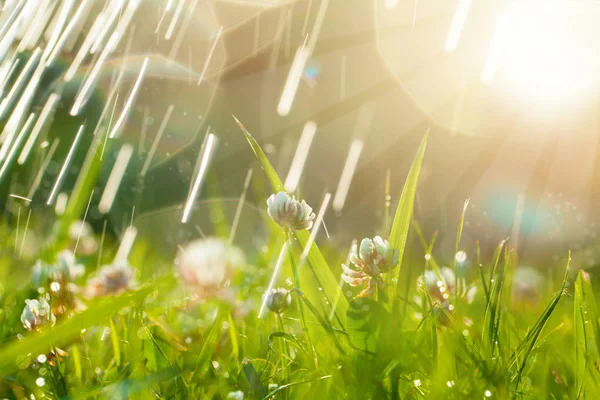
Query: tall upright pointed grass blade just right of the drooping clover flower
404,211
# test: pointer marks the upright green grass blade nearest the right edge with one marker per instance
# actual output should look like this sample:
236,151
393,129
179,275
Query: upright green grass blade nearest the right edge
579,334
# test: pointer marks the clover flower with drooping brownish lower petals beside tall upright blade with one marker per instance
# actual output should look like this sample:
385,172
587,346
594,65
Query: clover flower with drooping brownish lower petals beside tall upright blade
373,258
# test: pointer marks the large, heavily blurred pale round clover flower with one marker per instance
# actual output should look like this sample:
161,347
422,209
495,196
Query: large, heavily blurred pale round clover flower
206,264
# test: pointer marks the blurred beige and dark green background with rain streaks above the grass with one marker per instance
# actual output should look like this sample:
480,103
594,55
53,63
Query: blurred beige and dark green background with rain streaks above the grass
338,93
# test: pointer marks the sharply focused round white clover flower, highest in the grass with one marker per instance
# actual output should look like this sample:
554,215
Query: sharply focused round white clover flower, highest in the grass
289,212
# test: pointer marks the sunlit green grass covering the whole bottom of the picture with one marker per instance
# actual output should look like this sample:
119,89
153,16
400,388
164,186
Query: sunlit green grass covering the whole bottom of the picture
156,340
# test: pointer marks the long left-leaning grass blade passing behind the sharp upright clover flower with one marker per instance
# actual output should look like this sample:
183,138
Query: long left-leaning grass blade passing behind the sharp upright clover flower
316,261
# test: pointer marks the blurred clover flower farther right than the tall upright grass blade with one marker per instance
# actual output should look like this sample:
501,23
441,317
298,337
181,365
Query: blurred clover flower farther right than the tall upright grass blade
444,288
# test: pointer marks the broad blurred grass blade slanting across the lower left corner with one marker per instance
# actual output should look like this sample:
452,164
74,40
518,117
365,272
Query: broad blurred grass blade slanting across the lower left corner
17,352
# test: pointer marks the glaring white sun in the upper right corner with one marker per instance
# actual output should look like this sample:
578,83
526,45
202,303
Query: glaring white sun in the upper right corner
544,50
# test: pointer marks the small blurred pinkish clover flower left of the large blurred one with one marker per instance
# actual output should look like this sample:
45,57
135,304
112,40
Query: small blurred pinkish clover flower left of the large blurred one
111,279
